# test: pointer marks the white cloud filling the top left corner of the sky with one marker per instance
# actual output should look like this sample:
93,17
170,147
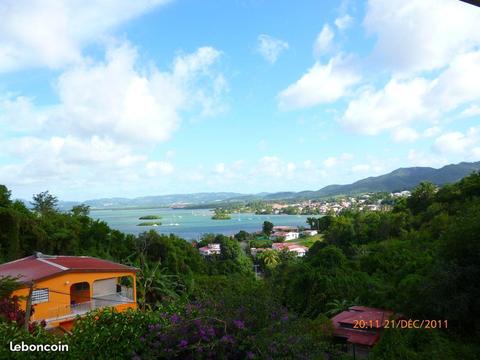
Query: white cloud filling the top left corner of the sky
52,33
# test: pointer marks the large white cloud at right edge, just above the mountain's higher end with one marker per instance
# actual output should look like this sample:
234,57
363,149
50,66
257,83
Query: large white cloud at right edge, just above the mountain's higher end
403,103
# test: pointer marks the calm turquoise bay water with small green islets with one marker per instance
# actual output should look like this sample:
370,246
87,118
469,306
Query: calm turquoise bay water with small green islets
190,224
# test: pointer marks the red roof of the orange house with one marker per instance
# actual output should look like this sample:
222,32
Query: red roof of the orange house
40,266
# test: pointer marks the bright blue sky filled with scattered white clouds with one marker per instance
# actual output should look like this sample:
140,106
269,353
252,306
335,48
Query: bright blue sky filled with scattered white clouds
133,98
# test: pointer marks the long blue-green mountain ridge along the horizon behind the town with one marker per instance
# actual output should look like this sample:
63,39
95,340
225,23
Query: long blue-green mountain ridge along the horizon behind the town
398,180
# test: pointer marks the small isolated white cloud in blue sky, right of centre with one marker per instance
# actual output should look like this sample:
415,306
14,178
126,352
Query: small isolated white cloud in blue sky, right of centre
321,84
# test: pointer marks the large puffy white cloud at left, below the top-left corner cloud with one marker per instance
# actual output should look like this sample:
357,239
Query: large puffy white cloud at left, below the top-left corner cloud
116,99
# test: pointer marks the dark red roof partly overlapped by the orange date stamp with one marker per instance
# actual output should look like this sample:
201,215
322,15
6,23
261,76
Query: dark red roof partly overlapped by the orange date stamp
343,324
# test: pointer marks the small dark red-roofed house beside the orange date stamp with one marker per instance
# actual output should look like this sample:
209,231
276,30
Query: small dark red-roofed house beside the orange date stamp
360,327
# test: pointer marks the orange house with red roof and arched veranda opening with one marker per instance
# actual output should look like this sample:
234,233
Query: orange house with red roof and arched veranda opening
65,287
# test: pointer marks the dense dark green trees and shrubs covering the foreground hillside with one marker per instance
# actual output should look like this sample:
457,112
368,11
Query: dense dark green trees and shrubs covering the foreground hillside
420,259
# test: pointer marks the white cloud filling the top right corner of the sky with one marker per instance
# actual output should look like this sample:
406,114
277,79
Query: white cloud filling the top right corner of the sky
419,35
